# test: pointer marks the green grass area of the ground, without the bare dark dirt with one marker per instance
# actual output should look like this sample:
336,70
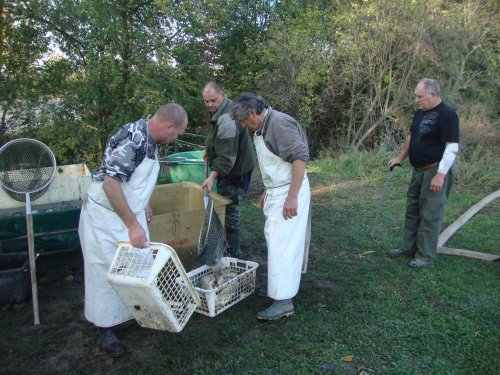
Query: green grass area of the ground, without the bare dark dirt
356,301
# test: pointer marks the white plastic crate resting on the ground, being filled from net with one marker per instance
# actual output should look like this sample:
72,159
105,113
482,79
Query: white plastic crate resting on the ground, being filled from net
214,301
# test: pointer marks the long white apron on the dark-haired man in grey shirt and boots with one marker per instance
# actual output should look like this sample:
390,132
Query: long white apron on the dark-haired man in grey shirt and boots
285,239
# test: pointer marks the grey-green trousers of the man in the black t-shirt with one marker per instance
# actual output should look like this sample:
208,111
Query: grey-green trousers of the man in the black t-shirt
424,212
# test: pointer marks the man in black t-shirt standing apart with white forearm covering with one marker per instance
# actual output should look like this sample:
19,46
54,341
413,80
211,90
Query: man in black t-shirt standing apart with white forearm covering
432,146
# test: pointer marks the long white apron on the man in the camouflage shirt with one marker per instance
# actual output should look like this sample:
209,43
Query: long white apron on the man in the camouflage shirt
100,228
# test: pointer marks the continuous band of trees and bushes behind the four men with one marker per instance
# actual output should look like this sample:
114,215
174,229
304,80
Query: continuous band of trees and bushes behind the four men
72,71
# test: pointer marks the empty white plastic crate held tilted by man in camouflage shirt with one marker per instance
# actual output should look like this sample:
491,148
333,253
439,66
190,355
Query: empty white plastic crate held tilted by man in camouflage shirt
154,285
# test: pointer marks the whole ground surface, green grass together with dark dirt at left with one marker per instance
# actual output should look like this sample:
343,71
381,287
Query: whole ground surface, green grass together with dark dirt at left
357,311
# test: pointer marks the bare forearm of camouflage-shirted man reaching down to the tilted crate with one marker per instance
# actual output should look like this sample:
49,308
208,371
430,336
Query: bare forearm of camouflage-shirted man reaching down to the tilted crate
114,192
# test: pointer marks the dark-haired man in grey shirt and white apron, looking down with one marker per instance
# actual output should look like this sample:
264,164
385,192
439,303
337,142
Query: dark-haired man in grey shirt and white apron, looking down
282,153
